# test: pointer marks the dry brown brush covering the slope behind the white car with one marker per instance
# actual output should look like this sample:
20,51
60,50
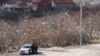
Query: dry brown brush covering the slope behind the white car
51,30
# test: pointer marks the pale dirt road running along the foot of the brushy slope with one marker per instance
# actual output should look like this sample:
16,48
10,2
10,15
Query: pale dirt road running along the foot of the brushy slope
87,50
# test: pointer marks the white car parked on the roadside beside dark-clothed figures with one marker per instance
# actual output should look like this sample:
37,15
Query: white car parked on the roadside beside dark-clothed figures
26,49
